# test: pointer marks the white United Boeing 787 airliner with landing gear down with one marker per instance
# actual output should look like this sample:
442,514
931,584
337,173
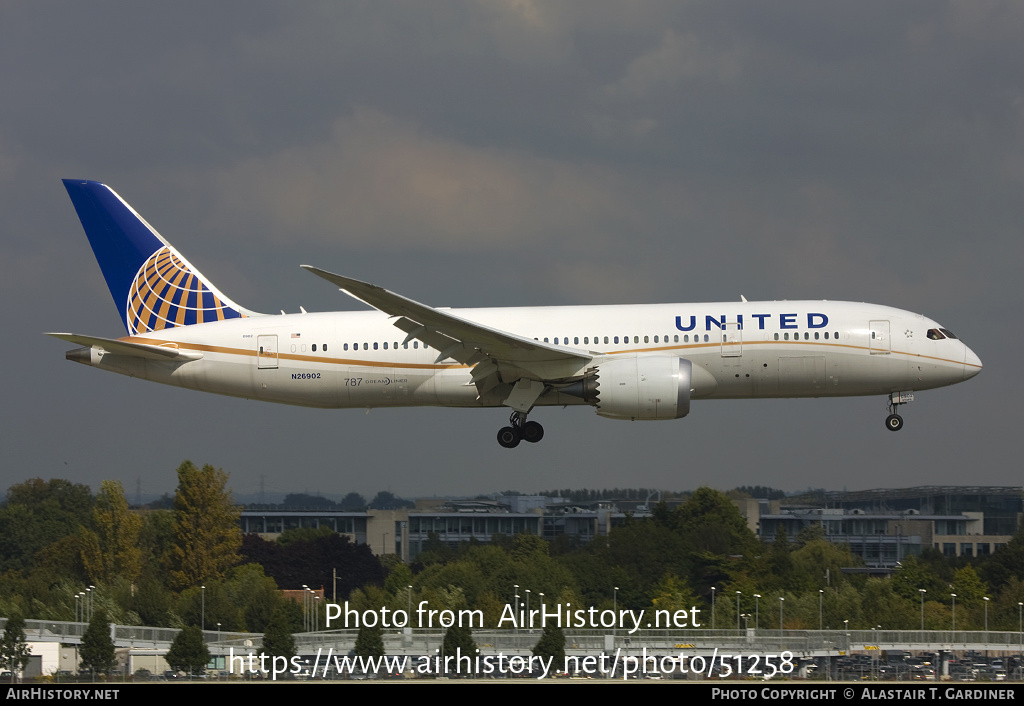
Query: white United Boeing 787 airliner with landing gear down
628,362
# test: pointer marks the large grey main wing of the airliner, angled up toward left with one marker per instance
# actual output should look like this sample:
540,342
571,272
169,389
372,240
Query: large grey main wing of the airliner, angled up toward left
488,351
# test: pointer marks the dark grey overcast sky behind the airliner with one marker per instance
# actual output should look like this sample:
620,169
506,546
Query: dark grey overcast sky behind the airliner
487,154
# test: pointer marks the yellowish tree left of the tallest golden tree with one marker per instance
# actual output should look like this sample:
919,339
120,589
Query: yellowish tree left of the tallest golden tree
113,550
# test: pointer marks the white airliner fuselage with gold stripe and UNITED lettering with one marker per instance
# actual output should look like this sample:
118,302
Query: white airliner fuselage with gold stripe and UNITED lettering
739,350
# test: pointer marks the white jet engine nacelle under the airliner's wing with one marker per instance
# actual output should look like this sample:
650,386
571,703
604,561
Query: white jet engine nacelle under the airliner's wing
648,387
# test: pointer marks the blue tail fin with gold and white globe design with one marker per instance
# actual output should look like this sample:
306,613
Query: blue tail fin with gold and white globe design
154,287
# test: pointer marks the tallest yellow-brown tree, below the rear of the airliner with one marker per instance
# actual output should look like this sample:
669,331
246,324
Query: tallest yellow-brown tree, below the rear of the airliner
207,536
